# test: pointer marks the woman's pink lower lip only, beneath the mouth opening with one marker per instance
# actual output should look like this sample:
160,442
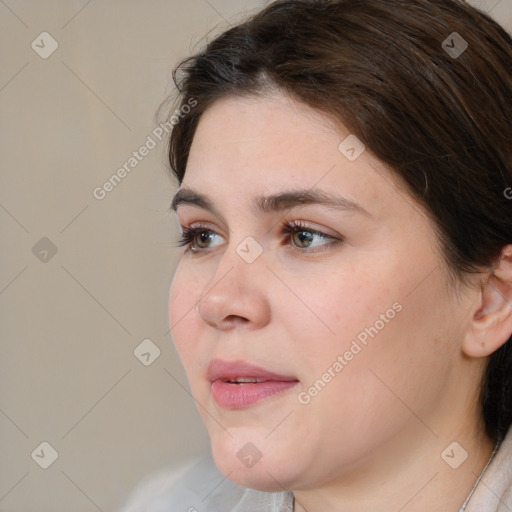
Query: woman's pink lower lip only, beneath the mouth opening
238,396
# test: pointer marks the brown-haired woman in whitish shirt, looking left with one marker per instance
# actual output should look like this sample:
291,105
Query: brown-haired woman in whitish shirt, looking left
343,305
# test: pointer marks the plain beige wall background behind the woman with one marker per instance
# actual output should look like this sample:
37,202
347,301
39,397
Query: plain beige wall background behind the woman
70,321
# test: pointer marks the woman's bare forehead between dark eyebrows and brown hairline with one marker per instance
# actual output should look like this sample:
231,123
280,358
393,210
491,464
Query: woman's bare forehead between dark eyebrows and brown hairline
261,145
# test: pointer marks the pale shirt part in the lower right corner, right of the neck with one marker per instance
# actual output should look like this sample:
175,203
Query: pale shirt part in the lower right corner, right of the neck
494,492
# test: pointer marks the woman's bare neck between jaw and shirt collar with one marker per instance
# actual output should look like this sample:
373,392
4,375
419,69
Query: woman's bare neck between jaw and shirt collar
408,475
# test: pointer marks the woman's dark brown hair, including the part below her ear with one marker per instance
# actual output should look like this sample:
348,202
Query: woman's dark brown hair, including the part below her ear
440,120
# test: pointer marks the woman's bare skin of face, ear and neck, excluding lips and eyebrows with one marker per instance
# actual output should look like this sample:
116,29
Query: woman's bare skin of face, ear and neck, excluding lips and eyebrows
372,438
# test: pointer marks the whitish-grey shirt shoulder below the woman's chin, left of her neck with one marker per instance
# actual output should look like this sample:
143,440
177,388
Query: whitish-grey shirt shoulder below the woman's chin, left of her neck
198,485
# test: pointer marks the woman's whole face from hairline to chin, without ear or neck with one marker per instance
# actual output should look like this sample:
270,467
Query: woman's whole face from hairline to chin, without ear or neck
351,321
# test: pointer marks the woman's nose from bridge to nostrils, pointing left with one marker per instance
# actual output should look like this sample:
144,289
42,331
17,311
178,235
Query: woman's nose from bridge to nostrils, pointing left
237,295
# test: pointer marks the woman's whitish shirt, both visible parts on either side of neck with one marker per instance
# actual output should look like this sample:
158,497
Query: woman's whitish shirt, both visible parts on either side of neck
200,487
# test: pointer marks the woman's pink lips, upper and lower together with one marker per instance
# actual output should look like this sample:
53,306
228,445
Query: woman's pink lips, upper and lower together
238,396
